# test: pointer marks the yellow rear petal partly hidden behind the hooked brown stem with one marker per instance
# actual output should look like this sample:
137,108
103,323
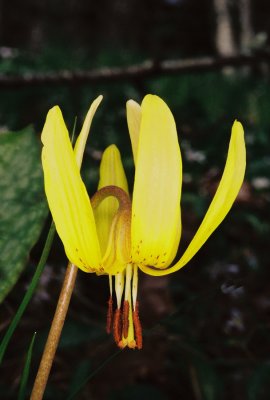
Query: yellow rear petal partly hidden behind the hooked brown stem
111,173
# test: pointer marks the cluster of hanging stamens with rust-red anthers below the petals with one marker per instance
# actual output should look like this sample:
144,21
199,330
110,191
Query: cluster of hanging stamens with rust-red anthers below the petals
124,321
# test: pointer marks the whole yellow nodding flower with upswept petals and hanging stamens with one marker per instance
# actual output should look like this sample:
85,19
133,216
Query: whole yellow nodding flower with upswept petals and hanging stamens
114,235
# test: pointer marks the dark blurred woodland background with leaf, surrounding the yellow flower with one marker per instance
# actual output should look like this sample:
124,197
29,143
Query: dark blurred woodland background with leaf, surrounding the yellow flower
206,328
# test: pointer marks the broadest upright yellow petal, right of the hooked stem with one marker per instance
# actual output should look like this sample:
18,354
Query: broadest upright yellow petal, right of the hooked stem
156,226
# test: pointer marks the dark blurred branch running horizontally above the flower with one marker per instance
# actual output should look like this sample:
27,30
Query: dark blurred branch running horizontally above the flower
145,69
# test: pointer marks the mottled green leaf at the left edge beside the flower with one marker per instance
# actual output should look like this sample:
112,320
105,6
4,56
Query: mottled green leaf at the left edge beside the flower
22,203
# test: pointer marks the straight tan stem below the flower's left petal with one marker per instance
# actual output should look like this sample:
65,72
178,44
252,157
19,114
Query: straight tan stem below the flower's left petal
55,333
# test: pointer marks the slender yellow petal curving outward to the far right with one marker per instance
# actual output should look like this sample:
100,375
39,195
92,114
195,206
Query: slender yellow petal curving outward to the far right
222,202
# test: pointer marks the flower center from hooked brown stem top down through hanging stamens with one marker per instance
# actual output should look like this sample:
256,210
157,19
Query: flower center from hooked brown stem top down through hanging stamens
124,321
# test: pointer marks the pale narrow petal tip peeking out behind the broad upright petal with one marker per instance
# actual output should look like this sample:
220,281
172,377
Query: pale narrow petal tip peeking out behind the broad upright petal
134,116
